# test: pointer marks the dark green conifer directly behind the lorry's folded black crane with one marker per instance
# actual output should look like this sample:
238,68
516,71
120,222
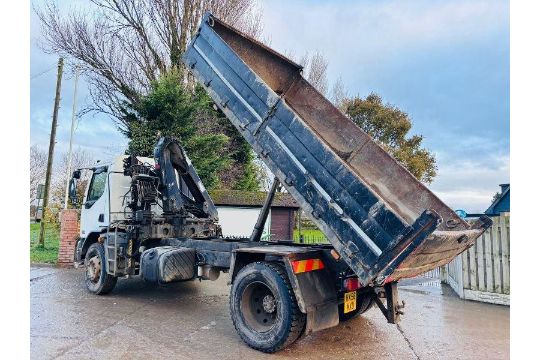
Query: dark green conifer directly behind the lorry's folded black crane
170,109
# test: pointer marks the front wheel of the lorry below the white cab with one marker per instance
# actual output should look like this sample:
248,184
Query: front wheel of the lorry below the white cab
95,275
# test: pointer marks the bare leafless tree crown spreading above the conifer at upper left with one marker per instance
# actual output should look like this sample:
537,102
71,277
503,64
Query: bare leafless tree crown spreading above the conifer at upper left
124,45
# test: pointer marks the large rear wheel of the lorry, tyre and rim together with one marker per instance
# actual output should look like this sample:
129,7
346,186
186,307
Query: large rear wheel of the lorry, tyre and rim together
263,307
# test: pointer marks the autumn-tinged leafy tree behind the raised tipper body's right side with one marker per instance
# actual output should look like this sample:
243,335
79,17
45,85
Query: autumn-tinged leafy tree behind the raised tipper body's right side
389,127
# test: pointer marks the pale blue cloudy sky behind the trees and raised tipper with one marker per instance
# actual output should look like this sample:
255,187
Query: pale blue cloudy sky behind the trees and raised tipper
445,63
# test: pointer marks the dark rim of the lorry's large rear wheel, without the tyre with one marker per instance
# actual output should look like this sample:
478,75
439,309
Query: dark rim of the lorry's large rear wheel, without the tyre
259,307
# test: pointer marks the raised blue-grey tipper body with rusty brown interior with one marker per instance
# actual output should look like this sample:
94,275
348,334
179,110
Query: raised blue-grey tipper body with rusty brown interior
383,221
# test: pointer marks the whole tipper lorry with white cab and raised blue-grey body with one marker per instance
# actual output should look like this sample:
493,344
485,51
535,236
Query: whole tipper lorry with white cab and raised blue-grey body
153,218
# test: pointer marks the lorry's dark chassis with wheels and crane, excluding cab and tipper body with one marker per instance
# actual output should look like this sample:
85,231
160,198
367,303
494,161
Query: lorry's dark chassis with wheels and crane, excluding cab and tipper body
279,290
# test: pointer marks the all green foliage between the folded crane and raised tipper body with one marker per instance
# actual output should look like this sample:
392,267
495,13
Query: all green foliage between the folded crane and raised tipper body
218,152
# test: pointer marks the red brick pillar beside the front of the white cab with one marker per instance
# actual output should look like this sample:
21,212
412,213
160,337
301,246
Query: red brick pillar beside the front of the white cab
69,232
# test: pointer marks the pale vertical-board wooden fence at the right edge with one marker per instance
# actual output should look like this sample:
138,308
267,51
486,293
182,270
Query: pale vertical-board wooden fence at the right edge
482,272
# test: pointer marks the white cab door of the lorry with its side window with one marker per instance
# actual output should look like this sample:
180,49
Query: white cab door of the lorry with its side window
94,212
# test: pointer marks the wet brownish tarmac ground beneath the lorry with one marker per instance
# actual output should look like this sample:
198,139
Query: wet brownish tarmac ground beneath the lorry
191,321
